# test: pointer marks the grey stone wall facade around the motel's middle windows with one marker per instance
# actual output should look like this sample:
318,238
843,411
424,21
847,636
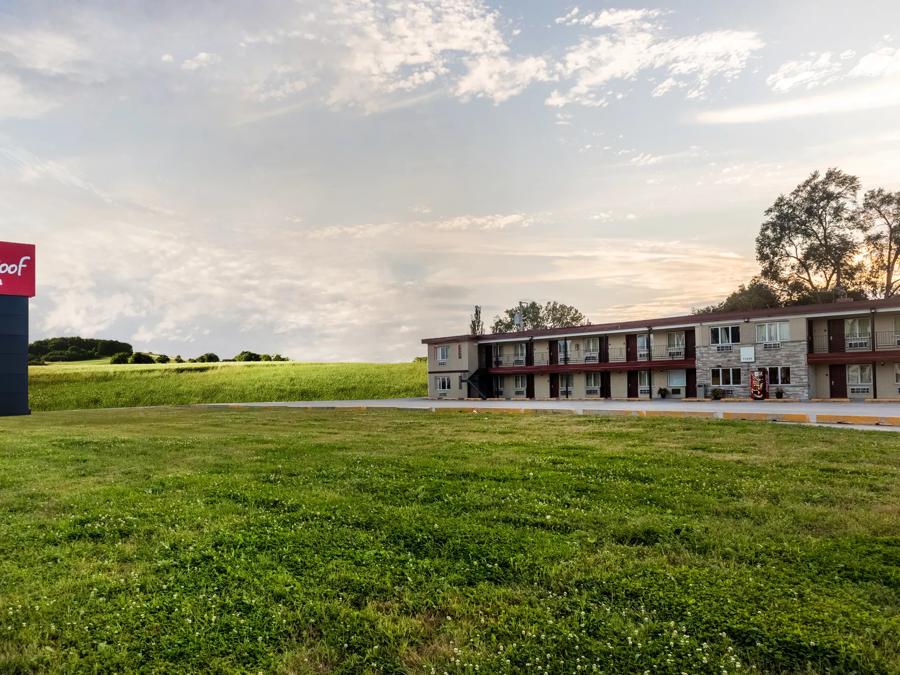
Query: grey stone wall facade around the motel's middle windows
790,354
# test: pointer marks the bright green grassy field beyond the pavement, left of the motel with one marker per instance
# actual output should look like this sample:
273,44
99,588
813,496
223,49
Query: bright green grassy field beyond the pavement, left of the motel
100,385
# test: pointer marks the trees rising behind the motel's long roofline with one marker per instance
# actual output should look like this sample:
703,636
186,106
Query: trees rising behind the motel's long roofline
820,243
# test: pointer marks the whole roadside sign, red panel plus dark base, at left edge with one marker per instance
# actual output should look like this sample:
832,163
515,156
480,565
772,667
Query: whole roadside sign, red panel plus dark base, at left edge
17,284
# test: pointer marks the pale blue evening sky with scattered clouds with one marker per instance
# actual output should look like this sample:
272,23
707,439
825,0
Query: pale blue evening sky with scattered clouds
337,180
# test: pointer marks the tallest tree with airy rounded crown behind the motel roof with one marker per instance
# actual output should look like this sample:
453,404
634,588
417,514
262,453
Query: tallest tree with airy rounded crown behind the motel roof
809,242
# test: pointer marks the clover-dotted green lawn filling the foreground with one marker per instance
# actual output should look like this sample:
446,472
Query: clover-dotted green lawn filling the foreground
300,541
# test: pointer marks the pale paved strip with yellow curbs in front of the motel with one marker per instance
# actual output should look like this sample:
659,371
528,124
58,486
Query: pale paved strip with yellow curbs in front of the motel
873,415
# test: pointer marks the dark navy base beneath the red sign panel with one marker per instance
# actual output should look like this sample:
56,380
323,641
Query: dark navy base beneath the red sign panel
13,356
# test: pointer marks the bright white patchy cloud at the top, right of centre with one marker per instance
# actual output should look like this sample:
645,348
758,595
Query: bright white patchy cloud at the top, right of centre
633,42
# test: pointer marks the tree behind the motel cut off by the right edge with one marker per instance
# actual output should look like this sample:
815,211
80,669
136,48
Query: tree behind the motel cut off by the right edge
880,217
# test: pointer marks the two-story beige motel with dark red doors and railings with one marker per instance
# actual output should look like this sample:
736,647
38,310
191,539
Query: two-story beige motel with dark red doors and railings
841,350
